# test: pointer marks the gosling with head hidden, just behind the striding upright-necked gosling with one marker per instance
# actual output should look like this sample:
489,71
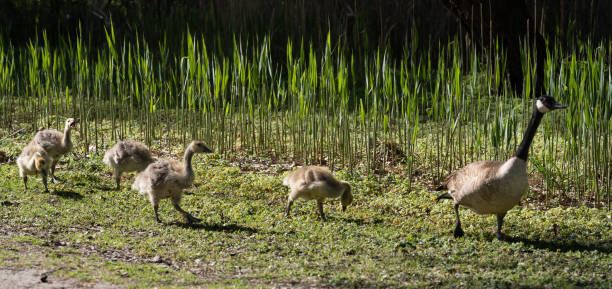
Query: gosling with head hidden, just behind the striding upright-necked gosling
127,156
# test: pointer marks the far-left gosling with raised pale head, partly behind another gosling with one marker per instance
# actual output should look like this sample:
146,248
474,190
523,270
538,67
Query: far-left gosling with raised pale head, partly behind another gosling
56,143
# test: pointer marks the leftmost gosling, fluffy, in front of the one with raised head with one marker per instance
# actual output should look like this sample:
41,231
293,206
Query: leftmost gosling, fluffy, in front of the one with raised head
32,161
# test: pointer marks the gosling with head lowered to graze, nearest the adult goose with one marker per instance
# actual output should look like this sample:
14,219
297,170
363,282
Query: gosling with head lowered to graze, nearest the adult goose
316,183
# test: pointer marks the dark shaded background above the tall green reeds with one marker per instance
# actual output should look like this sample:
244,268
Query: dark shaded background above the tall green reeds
358,26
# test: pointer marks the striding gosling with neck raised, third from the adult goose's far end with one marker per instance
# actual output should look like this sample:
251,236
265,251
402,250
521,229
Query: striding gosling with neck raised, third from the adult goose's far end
167,179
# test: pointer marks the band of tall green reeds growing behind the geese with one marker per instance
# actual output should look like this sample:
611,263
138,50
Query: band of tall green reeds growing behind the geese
322,107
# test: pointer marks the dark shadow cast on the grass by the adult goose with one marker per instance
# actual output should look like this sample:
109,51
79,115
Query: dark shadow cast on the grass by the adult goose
604,247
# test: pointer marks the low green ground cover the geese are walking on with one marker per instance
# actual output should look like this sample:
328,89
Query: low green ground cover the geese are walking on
395,235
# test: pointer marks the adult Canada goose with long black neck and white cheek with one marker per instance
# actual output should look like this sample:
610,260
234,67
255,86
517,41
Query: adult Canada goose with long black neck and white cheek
495,187
